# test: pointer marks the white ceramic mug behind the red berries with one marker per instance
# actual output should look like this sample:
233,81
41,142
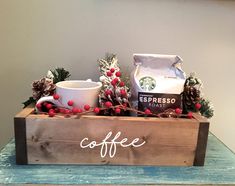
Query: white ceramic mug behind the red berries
81,92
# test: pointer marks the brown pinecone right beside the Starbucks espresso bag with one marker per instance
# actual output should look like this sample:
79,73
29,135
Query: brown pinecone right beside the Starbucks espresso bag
191,96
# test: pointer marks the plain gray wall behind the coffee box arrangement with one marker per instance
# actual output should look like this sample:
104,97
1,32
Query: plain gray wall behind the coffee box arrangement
37,35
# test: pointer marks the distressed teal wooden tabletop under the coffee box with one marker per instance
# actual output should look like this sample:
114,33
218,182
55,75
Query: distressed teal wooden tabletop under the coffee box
219,169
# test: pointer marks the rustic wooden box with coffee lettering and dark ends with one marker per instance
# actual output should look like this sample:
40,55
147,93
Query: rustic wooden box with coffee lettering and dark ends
134,141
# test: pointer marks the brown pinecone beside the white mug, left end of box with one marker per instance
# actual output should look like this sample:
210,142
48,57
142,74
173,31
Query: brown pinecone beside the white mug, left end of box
43,87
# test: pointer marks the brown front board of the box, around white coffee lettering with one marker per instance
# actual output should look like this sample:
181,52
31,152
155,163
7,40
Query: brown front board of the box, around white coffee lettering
57,141
